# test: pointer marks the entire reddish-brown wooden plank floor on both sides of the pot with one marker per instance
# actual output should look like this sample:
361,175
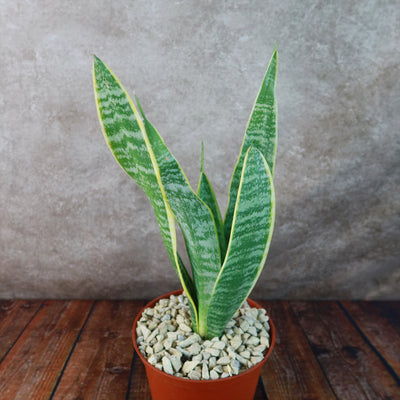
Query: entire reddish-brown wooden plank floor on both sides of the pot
82,350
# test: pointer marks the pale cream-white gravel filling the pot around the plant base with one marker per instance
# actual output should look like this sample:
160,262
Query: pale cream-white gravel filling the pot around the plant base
165,338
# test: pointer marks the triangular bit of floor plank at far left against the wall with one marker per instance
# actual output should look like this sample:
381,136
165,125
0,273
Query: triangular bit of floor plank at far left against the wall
14,317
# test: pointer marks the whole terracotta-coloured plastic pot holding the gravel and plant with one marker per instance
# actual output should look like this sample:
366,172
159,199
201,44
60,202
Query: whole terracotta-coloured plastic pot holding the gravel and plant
168,387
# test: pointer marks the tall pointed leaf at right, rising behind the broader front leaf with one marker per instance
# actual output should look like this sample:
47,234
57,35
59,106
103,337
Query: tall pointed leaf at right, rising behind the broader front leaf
261,132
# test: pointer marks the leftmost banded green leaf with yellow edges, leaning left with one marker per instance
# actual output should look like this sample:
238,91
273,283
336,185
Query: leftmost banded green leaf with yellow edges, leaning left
126,136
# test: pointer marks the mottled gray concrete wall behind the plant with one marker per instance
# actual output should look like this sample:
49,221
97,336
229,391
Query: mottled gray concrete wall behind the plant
72,224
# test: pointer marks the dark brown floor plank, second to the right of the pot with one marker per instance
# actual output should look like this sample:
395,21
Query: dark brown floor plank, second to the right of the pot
353,369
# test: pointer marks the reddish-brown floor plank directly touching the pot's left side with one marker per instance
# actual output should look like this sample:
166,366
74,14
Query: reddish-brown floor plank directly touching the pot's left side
99,367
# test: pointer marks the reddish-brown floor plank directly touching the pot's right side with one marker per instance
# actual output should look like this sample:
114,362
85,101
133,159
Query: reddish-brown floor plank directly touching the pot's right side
292,372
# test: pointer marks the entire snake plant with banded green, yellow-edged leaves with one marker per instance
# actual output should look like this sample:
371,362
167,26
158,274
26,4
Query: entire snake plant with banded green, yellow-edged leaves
226,255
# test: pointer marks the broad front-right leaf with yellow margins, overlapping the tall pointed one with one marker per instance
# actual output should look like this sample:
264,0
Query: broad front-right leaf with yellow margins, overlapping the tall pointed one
252,227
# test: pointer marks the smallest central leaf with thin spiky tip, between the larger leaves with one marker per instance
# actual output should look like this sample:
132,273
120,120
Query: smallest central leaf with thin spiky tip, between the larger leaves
206,193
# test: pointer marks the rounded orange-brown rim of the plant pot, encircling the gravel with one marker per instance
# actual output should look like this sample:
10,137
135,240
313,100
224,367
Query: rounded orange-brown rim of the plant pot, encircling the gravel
201,381
